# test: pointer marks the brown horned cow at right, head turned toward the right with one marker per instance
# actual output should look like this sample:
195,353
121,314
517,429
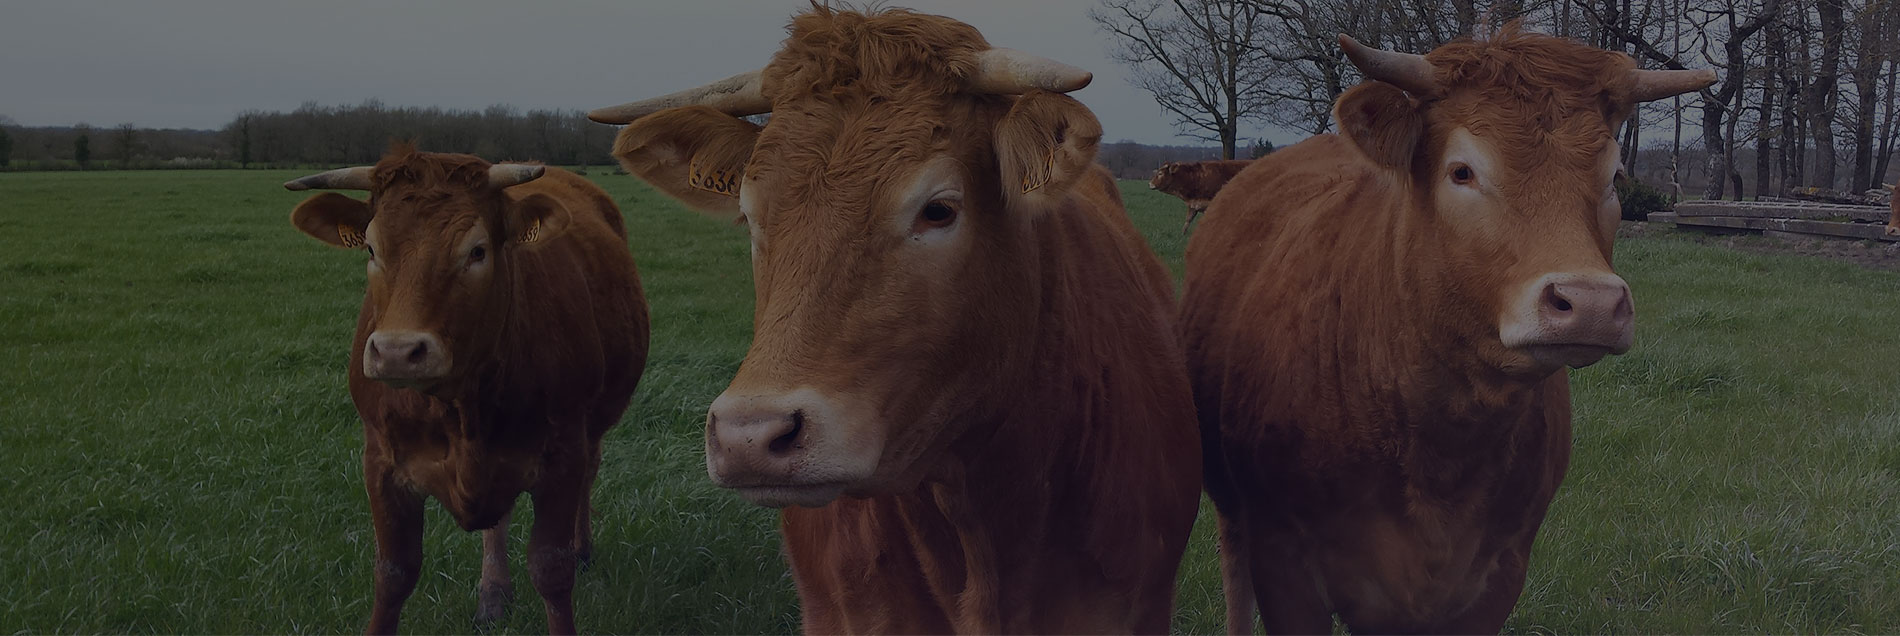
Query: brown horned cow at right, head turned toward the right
1378,326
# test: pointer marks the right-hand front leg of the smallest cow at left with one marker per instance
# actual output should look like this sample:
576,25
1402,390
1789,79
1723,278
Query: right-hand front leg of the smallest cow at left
552,548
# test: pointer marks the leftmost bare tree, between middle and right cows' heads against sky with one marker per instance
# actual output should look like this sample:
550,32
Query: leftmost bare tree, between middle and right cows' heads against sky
1198,58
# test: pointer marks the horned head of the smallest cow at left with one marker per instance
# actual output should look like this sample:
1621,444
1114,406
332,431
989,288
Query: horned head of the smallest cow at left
440,234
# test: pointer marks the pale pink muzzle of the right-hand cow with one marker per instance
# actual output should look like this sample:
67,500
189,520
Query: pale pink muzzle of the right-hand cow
1572,320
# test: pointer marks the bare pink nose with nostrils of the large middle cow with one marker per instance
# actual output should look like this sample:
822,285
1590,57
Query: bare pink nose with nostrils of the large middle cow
757,440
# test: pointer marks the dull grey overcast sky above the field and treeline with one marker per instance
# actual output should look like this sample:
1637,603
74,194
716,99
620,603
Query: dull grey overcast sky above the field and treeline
197,64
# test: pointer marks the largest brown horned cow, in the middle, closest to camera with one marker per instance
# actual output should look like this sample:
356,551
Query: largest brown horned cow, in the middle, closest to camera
964,375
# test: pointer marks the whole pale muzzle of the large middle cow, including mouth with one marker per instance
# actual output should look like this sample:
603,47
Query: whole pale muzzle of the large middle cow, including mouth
788,449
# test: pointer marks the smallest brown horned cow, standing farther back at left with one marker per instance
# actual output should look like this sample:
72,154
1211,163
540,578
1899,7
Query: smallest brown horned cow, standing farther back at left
501,337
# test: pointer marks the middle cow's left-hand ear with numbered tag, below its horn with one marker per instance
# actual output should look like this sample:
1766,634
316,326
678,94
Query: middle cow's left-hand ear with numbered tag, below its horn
694,155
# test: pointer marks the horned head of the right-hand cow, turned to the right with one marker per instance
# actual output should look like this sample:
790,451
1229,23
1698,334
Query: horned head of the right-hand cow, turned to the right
1508,155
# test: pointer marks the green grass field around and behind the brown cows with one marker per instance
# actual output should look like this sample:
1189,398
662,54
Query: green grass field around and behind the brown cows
178,451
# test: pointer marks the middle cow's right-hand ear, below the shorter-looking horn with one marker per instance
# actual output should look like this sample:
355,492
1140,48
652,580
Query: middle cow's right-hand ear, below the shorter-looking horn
1046,145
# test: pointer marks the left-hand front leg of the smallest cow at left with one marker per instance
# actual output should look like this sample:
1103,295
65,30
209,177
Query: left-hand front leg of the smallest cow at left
396,514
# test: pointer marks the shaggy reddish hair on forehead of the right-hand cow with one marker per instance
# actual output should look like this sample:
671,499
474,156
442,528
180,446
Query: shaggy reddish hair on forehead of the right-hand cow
1538,98
